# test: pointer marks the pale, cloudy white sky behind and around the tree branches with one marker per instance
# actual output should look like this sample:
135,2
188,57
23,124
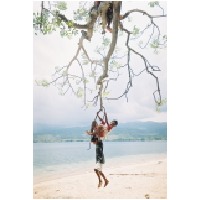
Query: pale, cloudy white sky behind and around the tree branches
51,108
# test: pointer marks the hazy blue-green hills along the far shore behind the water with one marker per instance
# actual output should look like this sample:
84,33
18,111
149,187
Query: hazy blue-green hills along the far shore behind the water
132,131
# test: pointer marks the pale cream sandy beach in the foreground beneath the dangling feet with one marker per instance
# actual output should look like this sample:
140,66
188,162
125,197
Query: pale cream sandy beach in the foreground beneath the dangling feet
140,180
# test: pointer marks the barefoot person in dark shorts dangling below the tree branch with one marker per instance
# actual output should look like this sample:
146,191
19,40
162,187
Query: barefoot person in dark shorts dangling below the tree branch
98,132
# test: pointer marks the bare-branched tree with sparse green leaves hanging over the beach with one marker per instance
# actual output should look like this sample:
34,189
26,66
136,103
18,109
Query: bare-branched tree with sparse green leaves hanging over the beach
96,68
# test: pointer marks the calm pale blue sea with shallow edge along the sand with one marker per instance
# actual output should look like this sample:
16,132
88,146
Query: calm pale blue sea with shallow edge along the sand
52,160
